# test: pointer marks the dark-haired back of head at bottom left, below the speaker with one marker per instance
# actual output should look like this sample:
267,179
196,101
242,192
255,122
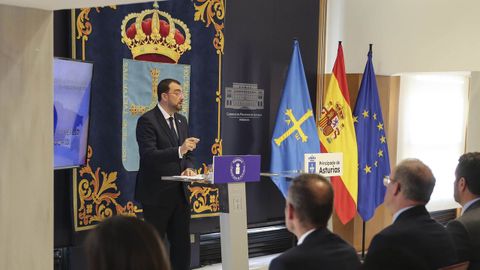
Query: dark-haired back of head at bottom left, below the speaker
125,243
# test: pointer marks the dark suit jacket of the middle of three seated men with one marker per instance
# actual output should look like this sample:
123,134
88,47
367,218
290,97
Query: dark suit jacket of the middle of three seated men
415,239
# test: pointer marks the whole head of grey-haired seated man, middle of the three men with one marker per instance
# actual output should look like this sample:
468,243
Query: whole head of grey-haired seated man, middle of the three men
411,183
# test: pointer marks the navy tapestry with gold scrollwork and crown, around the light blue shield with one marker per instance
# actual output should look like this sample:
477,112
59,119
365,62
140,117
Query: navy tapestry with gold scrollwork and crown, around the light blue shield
103,35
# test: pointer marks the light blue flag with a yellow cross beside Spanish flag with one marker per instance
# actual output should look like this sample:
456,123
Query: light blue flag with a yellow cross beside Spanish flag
295,132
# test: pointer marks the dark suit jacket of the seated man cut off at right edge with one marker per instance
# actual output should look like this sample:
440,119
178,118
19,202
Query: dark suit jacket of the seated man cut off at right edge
465,232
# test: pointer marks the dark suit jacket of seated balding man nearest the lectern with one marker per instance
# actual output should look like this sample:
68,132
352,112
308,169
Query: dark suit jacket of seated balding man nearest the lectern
320,250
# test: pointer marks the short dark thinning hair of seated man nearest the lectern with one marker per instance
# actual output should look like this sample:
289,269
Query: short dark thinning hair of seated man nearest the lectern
311,202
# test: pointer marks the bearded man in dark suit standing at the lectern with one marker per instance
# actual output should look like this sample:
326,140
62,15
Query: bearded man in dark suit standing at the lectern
164,146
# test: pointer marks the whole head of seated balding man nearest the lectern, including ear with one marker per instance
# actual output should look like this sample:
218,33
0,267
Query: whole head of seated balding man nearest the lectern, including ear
309,203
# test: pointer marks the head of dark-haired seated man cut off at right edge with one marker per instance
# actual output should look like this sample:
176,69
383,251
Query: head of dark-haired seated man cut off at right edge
467,178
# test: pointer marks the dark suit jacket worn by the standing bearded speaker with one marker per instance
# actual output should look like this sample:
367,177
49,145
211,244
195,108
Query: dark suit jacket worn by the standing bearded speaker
159,157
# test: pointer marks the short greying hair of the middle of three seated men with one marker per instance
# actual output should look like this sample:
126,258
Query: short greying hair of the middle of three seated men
416,179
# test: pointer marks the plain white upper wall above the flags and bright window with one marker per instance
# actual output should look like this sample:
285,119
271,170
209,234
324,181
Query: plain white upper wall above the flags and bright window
408,35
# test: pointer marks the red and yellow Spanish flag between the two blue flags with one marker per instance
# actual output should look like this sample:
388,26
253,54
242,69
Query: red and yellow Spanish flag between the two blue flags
337,134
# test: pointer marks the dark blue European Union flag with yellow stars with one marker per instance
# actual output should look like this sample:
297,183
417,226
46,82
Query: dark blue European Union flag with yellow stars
373,161
